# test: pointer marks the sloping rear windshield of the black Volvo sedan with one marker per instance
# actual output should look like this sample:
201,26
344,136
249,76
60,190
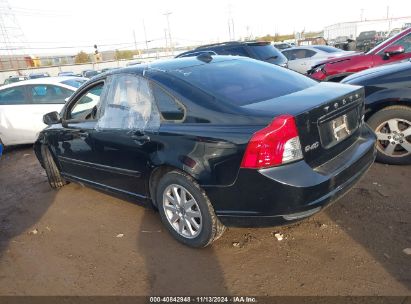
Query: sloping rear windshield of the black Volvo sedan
244,81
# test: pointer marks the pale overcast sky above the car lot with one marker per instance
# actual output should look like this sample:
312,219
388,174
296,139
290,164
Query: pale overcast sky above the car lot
82,23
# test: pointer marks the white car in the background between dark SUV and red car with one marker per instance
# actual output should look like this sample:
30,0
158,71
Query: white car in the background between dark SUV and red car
302,58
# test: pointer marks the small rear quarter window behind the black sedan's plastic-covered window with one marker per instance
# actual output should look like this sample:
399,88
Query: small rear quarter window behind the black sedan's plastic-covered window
169,108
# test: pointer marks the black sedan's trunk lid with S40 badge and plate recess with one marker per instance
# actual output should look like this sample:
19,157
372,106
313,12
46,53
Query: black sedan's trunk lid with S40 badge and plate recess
328,117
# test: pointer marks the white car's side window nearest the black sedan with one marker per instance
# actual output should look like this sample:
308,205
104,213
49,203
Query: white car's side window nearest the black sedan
49,94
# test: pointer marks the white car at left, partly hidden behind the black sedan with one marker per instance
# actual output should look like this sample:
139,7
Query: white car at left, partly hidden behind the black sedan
23,104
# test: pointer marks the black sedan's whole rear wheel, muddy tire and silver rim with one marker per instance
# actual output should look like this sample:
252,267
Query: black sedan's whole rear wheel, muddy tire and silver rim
197,209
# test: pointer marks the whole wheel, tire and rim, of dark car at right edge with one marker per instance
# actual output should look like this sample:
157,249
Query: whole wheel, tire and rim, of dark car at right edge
393,128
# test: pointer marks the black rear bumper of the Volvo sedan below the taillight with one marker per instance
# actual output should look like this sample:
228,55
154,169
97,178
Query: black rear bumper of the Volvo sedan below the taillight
291,192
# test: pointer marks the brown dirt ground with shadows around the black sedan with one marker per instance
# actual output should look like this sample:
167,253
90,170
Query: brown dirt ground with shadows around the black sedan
78,241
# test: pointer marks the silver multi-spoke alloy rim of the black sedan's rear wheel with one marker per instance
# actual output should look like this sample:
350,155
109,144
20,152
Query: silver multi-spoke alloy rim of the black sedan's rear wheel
182,211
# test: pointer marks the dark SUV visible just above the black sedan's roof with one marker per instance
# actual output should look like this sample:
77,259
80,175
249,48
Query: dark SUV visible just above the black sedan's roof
259,50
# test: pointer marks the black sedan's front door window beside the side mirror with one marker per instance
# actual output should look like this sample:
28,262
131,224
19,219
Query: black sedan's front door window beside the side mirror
87,105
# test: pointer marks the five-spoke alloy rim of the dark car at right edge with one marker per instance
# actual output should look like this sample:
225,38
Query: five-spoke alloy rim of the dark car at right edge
394,137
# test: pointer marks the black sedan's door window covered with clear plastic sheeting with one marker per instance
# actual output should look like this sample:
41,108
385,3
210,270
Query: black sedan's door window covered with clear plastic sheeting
129,105
